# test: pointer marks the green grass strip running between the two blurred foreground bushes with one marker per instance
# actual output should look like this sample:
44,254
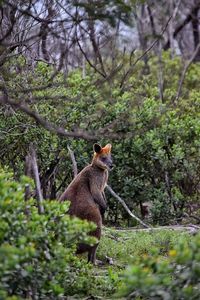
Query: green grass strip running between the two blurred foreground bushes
124,246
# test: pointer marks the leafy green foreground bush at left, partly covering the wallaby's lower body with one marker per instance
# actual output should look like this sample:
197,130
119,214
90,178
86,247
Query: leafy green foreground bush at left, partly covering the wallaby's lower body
37,252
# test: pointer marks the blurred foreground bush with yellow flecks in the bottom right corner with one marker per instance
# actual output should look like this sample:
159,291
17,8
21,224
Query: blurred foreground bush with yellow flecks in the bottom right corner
156,277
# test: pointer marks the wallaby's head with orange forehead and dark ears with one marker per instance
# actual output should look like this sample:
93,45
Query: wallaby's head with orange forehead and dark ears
102,156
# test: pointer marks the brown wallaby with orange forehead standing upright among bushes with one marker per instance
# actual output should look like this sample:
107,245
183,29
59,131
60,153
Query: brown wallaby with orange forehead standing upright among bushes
86,194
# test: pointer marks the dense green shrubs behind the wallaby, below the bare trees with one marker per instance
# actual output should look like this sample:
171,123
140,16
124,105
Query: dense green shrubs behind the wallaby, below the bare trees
157,150
